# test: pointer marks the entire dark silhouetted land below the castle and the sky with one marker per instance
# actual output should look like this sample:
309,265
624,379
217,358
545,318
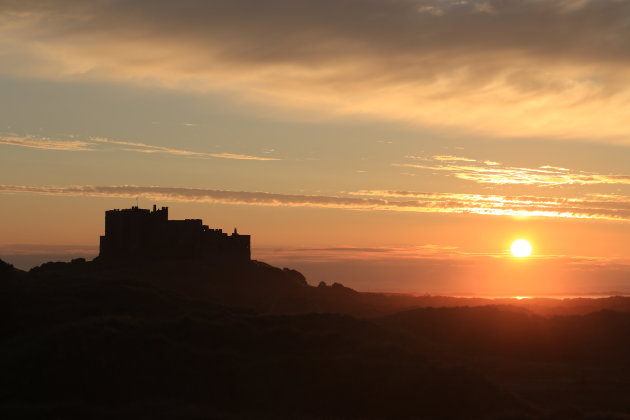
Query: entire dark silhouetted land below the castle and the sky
95,340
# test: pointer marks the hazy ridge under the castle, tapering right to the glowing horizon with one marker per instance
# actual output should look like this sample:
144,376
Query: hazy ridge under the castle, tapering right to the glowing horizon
269,289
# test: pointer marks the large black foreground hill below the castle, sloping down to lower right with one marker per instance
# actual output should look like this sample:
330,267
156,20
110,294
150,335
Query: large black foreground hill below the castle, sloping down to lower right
109,346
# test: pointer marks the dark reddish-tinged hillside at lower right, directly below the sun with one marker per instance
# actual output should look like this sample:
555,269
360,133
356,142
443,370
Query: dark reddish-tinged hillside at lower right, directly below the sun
556,362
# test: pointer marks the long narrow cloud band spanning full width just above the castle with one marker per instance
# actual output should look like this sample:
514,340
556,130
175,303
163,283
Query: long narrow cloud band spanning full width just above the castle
615,208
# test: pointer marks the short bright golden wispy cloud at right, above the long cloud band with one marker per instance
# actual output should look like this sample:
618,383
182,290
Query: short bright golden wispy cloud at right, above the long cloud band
495,173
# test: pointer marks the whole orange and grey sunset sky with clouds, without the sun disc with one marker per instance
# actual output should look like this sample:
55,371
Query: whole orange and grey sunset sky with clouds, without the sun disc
389,145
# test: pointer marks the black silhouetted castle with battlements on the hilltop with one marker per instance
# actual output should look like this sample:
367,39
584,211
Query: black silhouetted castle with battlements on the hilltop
142,234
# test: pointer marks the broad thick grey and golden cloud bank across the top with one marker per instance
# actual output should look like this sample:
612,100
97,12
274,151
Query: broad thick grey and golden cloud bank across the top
516,68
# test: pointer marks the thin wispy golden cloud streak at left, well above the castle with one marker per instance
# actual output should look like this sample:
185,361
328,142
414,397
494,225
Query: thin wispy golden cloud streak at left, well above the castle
96,143
